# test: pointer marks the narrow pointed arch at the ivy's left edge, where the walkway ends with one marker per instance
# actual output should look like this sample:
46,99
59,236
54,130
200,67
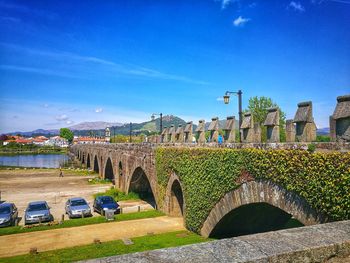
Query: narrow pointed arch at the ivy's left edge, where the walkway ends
175,201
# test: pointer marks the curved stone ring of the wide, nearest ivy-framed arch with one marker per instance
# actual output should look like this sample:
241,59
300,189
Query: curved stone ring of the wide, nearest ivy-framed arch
261,192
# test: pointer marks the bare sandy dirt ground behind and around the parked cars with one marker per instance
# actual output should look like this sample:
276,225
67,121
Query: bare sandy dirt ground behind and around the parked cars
24,186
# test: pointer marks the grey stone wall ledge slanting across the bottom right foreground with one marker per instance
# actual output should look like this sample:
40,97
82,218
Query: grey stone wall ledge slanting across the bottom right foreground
318,243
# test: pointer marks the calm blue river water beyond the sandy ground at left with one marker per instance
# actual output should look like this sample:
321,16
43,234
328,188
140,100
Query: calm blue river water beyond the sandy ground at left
35,160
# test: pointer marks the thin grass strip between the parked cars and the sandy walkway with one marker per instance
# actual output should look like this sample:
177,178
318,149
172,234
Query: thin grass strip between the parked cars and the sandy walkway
81,222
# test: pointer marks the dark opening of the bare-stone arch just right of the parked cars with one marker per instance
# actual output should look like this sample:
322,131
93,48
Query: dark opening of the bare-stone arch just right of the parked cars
141,184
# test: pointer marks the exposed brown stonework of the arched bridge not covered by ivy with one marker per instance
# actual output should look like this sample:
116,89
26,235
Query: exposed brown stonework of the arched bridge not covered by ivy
132,167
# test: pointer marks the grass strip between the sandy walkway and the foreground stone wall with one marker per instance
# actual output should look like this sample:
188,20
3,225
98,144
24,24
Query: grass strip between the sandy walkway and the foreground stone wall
111,248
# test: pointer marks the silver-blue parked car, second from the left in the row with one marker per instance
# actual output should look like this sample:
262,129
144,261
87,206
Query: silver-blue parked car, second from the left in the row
37,212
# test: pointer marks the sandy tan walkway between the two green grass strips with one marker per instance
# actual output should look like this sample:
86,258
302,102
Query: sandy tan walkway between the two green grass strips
18,244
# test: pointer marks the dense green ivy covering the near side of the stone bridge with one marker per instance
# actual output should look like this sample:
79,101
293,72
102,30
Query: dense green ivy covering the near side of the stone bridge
323,179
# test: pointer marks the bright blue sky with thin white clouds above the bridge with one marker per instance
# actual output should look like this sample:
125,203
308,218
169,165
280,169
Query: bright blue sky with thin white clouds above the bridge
66,62
